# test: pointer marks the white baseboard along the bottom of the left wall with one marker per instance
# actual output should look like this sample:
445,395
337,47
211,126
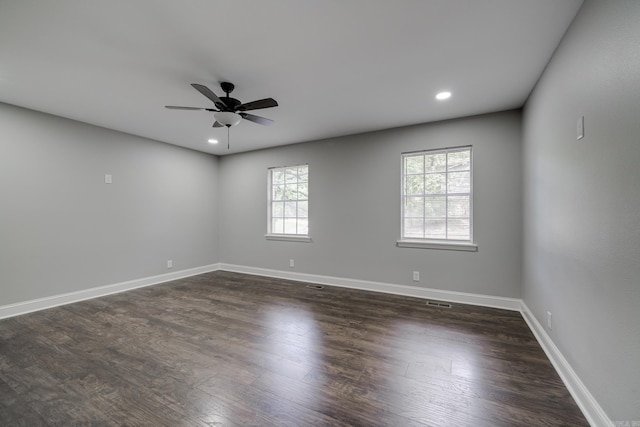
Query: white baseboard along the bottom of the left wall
25,307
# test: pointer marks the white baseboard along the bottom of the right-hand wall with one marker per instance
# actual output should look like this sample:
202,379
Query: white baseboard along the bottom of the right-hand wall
585,400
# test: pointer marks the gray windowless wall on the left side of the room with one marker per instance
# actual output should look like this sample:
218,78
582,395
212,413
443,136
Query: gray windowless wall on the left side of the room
62,229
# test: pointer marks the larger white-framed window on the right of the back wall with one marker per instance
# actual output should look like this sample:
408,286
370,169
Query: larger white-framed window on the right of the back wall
437,197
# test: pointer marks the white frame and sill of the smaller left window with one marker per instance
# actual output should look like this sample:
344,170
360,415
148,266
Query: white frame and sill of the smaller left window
274,235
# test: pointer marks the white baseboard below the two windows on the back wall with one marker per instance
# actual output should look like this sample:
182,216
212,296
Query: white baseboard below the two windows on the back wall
388,288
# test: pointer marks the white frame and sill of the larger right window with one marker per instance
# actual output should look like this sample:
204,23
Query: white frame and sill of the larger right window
431,243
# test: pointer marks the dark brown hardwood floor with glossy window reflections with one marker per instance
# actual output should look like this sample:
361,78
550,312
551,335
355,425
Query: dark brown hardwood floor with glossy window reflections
231,349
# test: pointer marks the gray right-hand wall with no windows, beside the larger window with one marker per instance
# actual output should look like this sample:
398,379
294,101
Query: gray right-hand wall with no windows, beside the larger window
582,202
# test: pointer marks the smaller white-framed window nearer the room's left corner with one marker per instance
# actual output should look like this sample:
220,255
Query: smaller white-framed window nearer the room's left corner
288,216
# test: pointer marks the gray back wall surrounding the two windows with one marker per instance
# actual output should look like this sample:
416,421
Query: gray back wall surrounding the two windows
355,208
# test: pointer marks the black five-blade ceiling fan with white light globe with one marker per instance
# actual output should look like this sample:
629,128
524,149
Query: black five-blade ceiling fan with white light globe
229,111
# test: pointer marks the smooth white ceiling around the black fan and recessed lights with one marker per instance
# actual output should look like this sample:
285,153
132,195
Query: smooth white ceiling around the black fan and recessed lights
335,67
